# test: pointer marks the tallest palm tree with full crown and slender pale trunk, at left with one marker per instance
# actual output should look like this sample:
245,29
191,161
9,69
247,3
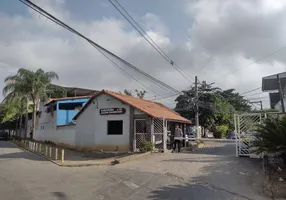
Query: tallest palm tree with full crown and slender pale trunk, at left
32,86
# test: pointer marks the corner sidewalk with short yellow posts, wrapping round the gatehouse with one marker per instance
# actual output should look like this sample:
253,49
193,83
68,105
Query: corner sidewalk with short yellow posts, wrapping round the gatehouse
70,158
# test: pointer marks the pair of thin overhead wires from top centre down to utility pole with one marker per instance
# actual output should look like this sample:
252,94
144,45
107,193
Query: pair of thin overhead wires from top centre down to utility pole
143,33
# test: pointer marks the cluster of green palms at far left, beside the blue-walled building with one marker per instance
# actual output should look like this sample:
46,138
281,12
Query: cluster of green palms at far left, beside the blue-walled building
27,87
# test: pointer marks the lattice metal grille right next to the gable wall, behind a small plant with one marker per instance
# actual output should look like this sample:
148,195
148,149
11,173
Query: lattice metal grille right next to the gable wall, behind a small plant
140,131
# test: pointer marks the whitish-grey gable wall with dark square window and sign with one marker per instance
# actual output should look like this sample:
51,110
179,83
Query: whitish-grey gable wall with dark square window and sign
91,127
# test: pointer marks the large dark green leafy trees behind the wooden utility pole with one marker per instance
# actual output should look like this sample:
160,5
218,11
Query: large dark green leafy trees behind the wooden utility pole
216,107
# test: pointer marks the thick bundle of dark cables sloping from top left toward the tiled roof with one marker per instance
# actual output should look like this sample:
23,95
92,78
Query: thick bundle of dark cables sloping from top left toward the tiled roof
127,64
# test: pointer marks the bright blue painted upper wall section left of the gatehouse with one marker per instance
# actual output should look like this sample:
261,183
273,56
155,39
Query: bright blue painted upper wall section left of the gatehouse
65,117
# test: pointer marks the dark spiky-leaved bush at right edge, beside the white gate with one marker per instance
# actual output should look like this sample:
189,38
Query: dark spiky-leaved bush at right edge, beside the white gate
271,137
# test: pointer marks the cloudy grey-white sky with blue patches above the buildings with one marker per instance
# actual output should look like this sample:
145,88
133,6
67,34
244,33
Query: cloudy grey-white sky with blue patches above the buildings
219,41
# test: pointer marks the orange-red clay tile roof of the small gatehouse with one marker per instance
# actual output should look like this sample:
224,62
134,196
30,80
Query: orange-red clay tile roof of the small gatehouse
151,108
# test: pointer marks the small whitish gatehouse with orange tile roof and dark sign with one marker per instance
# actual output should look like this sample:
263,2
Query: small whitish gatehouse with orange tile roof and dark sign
114,121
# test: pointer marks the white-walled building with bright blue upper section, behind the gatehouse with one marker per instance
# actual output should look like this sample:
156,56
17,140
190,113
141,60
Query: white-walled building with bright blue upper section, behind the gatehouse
54,122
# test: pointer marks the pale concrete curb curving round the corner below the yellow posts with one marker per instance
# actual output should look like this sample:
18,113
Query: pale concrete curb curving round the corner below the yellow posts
104,162
